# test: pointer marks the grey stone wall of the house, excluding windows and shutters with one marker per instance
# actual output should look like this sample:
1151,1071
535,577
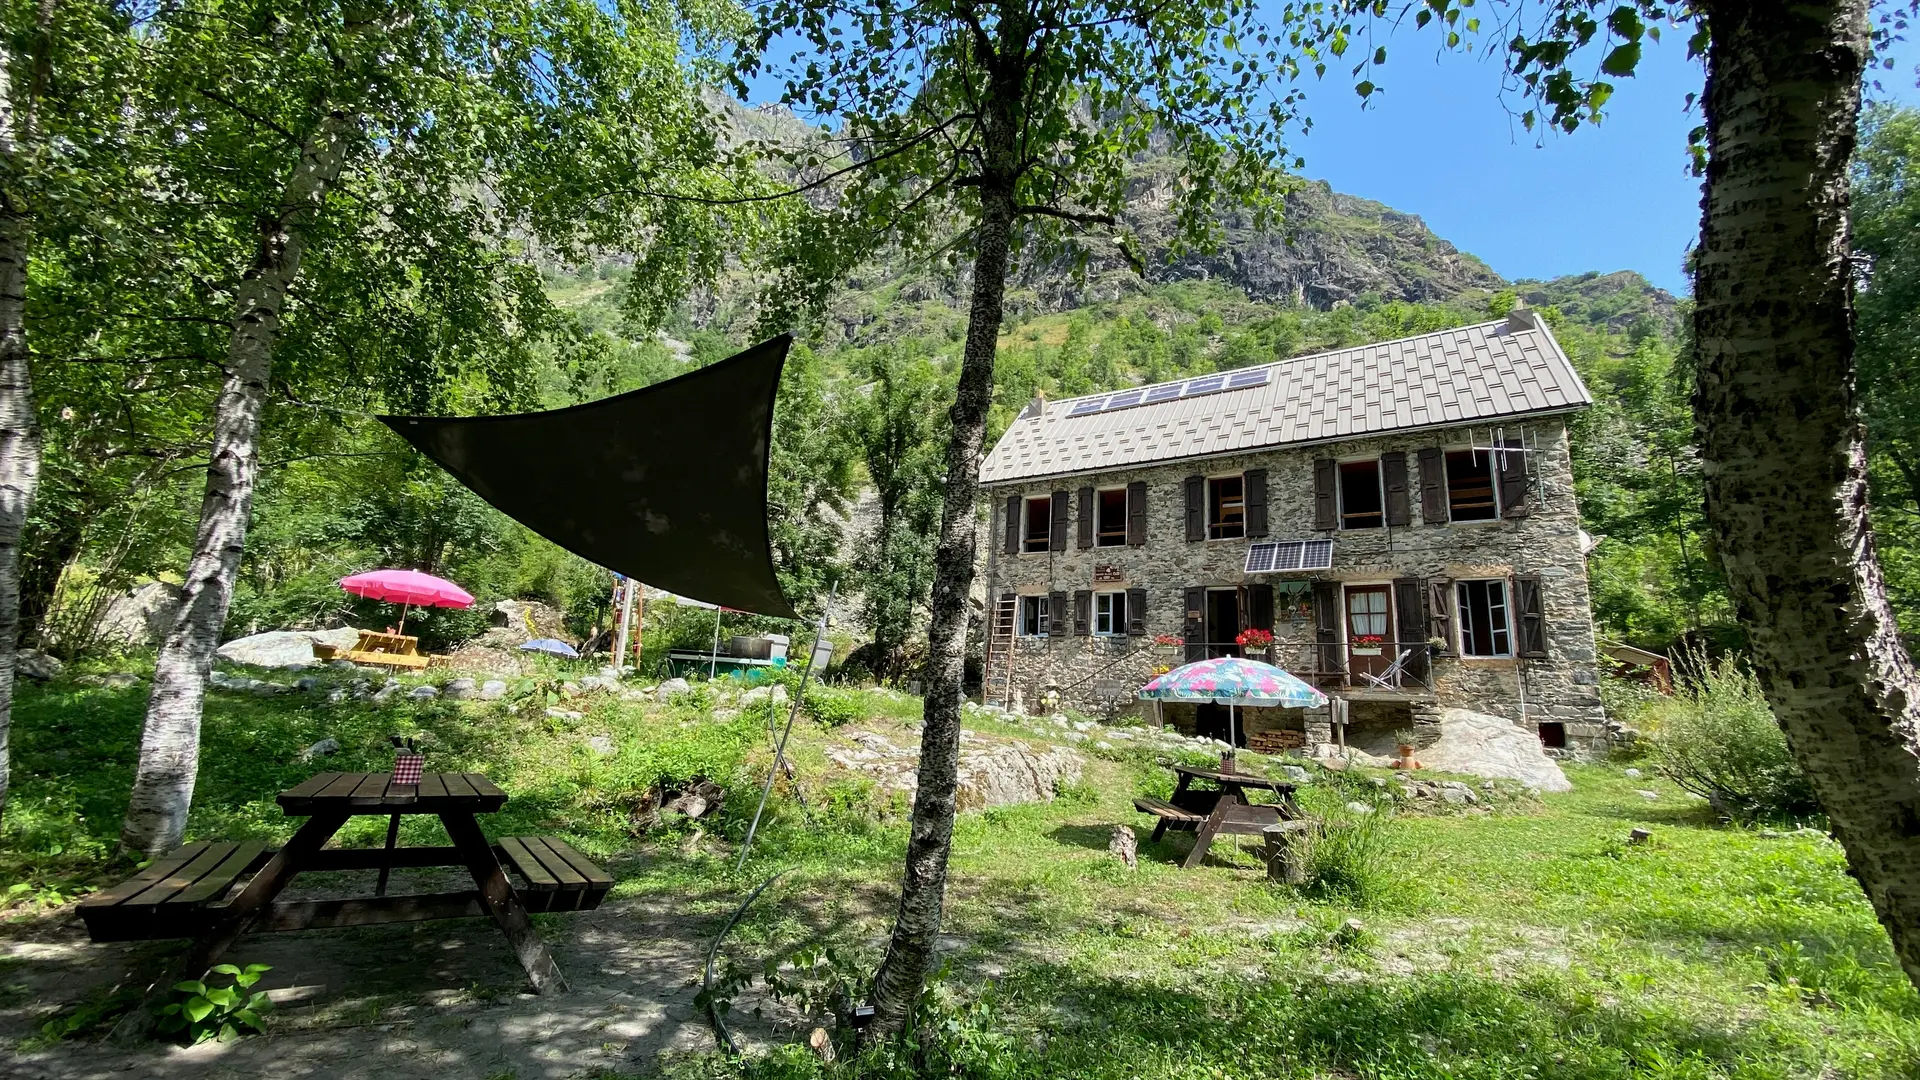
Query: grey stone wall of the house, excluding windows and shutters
1099,675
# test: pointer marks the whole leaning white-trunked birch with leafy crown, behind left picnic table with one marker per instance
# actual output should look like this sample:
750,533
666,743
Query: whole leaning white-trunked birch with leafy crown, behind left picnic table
354,193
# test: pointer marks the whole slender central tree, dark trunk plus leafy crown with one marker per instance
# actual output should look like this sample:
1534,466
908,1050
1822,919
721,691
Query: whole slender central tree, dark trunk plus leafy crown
1001,132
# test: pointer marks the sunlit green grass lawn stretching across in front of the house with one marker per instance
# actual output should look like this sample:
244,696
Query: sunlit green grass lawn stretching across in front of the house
1529,941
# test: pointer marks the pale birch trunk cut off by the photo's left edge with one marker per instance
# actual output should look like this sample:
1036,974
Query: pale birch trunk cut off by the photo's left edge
20,430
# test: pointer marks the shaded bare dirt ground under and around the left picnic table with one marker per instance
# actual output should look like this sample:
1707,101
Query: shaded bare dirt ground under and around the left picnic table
429,1000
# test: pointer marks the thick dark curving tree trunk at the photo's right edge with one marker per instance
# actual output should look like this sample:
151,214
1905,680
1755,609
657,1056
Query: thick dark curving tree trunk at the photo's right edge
1781,431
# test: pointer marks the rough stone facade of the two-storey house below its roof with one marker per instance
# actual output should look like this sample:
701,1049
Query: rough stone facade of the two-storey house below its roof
1539,552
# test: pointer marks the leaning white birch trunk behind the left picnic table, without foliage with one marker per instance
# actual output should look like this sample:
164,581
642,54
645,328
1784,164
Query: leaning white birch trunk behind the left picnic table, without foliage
170,743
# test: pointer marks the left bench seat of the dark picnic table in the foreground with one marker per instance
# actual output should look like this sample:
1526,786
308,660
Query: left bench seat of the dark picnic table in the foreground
172,896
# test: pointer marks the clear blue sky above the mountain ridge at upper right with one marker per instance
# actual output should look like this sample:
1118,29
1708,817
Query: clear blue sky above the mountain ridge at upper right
1439,143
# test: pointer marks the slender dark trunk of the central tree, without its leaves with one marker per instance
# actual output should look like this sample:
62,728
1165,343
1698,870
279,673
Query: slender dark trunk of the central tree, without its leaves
917,925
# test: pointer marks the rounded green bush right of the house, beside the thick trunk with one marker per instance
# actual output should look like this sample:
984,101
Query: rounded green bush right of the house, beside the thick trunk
1717,739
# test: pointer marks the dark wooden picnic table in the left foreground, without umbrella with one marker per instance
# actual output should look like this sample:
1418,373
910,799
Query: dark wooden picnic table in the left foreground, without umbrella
183,895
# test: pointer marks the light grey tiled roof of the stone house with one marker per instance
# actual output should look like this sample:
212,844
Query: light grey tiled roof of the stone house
1491,372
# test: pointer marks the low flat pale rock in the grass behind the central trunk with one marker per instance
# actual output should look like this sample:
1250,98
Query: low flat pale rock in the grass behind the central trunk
994,772
